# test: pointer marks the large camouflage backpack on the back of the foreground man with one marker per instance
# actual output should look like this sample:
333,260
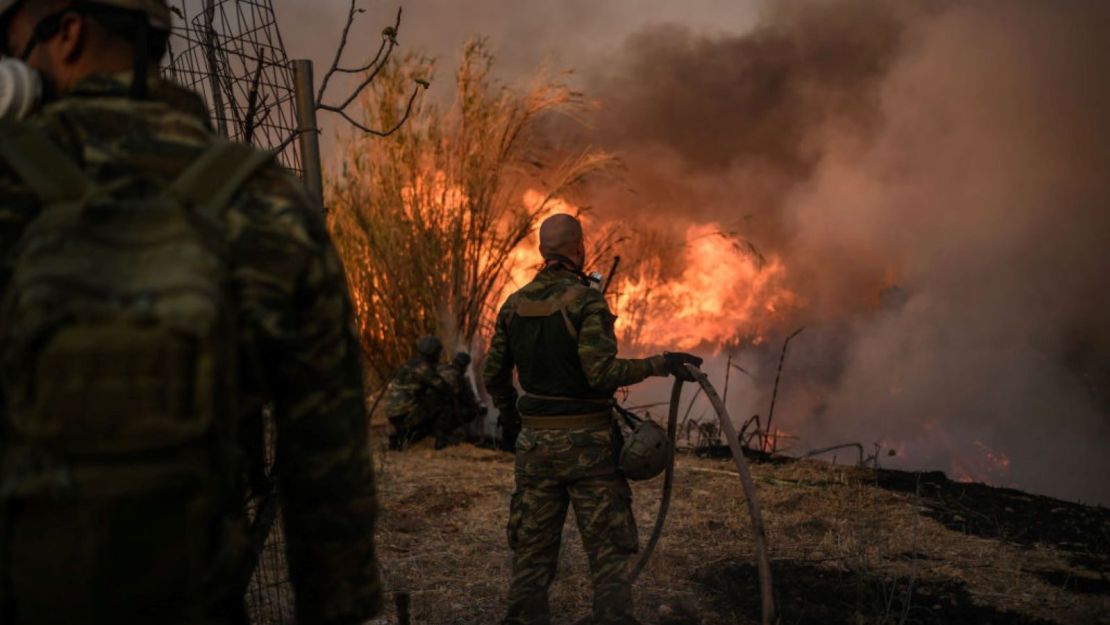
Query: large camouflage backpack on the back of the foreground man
118,471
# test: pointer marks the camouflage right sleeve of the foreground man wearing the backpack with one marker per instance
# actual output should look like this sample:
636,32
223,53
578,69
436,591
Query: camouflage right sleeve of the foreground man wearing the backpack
295,289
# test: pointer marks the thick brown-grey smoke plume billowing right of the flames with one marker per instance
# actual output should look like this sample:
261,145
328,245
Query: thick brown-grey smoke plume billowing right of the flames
936,177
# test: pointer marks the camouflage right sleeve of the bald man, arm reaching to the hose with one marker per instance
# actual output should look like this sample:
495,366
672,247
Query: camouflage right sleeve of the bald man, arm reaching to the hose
598,349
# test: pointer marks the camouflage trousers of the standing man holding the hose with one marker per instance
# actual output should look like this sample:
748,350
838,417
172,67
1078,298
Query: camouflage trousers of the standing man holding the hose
557,470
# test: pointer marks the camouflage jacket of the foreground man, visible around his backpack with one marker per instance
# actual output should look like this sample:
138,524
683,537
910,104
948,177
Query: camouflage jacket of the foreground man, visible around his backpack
298,344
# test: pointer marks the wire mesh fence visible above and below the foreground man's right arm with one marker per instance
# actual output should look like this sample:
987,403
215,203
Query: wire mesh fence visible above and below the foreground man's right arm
231,53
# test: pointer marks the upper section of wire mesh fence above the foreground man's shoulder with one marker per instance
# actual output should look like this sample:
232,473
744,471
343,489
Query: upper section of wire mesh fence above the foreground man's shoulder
231,53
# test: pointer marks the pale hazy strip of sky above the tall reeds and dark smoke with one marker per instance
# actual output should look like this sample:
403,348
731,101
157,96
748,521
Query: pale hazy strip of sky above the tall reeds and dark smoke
523,35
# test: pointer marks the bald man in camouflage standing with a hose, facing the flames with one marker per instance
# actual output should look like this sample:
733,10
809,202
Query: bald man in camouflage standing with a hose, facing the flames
559,335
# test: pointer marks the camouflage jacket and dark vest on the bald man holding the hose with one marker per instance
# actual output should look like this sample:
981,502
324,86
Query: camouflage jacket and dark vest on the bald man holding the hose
551,360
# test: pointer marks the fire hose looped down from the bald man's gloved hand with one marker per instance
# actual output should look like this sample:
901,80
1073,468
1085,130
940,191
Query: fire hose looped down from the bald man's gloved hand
763,561
